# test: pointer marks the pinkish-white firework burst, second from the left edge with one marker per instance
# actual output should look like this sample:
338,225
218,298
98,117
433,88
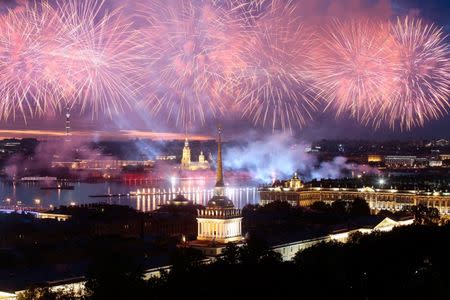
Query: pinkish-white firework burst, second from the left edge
99,50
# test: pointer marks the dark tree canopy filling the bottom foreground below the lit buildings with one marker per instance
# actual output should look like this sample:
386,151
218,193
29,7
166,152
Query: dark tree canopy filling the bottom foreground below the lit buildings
407,263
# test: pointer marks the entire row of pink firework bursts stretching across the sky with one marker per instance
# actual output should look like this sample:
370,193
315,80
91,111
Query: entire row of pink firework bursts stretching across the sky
193,61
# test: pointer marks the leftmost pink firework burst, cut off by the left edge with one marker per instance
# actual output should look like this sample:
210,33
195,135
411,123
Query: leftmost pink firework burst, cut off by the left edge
26,80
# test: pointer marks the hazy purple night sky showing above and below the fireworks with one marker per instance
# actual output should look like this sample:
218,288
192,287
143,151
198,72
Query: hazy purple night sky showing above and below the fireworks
324,125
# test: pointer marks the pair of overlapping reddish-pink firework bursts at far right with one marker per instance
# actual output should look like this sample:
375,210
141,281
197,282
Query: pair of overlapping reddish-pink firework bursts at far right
381,71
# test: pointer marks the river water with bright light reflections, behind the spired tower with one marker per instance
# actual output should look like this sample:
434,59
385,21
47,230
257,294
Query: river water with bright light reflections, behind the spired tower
24,194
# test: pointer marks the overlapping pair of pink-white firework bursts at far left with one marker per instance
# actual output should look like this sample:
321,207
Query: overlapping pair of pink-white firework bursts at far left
74,54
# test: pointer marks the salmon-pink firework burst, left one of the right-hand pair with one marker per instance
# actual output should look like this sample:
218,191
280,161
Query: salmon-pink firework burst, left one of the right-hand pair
353,68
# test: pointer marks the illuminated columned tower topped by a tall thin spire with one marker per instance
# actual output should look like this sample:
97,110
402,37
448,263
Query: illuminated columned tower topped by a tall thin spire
220,222
